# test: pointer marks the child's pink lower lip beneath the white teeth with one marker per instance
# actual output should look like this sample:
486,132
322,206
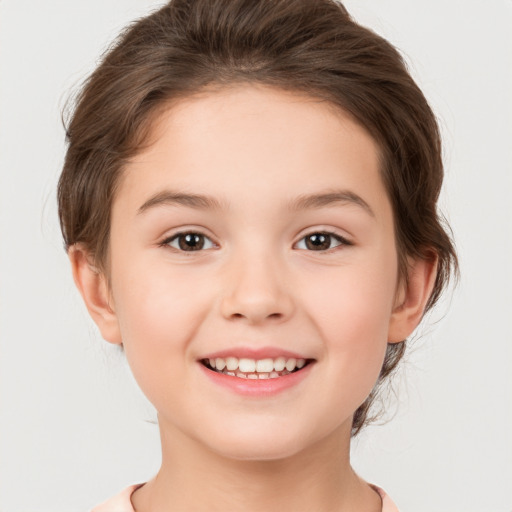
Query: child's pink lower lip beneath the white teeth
257,387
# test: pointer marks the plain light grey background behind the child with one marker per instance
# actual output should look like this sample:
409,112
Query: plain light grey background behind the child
74,426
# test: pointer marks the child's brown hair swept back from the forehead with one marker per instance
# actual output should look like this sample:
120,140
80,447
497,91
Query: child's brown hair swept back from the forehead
308,46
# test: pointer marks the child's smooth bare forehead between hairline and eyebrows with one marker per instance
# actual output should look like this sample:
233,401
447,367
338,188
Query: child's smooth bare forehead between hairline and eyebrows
245,143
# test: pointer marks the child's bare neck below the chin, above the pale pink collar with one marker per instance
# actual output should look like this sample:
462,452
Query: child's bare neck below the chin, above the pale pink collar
192,477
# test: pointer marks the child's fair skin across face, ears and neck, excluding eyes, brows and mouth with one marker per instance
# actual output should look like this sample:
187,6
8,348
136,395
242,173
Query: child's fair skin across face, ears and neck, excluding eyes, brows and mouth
255,283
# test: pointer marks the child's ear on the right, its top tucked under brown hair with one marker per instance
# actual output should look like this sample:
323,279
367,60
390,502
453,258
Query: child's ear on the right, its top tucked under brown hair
412,298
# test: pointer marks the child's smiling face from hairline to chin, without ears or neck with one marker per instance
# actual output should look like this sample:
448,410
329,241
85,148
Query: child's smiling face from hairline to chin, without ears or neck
261,279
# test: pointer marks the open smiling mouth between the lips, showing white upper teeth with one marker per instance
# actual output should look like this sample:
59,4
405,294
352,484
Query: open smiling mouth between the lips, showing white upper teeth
256,369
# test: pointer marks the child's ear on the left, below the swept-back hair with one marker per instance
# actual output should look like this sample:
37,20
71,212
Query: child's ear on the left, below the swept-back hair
92,285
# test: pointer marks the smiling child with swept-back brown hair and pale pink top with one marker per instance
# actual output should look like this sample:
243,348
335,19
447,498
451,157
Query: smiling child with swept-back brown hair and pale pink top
248,202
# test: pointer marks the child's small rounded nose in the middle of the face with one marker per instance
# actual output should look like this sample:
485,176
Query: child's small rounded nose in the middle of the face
255,290
